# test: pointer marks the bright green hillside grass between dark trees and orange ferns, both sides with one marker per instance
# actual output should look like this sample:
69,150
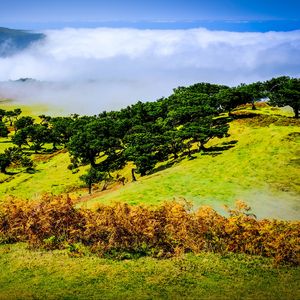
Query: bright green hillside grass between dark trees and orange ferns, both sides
261,169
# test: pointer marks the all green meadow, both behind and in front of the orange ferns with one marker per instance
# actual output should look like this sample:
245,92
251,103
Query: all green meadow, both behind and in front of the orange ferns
258,163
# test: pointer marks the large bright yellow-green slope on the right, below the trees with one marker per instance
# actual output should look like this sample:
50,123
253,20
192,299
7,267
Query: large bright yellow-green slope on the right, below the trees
261,169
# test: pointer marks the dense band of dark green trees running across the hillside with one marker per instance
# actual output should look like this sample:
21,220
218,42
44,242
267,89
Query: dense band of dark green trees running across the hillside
146,133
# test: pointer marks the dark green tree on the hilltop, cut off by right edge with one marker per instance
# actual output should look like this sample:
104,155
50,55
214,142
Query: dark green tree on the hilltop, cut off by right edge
287,93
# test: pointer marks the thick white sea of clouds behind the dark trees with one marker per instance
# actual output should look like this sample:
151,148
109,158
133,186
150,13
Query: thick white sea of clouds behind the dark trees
90,70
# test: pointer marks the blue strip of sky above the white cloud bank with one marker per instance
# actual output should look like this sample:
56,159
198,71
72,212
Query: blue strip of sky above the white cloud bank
262,15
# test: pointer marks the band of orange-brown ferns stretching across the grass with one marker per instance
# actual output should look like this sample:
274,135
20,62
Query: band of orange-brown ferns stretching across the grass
124,231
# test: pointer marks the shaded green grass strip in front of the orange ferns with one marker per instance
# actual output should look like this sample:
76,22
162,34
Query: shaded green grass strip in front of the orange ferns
54,275
